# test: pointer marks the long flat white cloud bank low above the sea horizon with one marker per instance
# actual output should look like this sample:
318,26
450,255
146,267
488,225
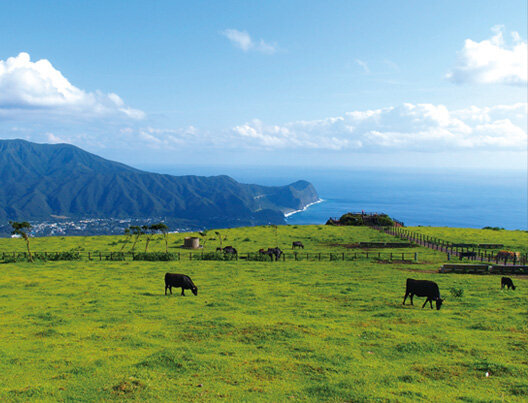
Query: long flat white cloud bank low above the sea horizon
410,127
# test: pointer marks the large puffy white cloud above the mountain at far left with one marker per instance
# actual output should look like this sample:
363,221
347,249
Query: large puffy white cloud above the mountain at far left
38,88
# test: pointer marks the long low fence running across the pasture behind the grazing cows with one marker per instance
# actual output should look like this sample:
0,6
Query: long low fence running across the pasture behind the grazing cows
12,257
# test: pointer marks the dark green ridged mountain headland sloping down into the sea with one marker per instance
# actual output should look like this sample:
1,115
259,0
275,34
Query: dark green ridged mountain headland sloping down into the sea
40,181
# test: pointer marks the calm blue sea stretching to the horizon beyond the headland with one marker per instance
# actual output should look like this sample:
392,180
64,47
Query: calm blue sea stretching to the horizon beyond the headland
453,198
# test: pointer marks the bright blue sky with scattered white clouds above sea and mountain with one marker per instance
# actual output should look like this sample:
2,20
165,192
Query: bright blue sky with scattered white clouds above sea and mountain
334,83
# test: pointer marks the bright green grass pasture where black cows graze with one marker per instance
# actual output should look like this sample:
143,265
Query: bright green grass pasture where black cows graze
257,331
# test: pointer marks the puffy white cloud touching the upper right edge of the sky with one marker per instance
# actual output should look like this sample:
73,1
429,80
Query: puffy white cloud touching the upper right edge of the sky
492,61
